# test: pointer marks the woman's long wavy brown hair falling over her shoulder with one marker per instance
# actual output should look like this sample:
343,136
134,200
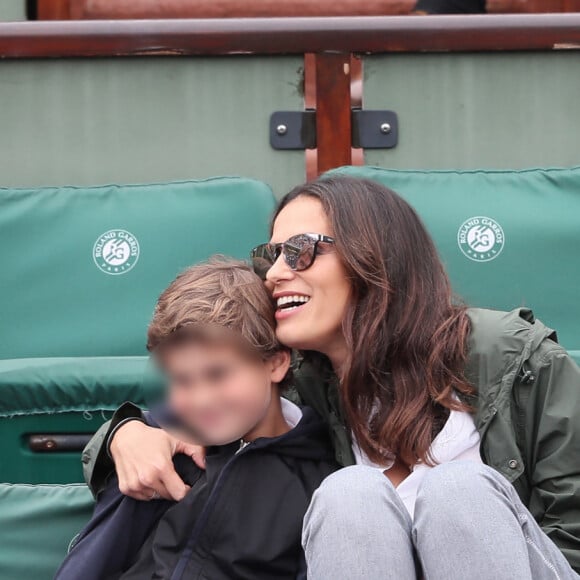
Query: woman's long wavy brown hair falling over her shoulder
405,333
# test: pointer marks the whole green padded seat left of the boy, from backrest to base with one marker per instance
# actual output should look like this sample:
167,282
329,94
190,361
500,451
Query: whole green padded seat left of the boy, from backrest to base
78,287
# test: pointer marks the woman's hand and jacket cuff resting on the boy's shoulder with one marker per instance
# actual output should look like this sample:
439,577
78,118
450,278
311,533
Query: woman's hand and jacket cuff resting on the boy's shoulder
140,454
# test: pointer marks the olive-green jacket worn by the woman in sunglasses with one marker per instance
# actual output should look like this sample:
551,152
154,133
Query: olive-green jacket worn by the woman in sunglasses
527,413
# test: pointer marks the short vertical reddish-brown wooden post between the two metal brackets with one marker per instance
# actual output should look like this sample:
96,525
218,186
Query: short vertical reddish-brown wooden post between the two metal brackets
333,124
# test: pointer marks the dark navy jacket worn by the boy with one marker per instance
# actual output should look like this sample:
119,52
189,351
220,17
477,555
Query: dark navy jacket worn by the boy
241,520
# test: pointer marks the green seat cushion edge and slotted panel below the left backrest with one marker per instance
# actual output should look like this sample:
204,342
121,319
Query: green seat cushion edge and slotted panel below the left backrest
62,396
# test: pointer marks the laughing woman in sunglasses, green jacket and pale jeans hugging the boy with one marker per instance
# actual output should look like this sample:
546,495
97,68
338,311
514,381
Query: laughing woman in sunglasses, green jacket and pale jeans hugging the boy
459,426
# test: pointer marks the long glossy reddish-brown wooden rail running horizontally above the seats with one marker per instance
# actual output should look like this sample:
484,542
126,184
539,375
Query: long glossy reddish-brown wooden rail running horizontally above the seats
289,35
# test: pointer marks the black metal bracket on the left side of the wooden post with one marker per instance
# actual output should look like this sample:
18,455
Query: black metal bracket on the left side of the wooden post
293,129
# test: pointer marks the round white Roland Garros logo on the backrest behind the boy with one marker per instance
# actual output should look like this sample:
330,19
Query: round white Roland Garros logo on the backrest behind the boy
116,252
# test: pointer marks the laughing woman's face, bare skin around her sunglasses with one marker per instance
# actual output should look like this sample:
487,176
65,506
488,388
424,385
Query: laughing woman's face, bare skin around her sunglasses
323,288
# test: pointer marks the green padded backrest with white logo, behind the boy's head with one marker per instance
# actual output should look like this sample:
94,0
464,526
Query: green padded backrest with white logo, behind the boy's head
81,268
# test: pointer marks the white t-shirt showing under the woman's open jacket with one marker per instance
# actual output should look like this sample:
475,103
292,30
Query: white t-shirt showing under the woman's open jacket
458,441
